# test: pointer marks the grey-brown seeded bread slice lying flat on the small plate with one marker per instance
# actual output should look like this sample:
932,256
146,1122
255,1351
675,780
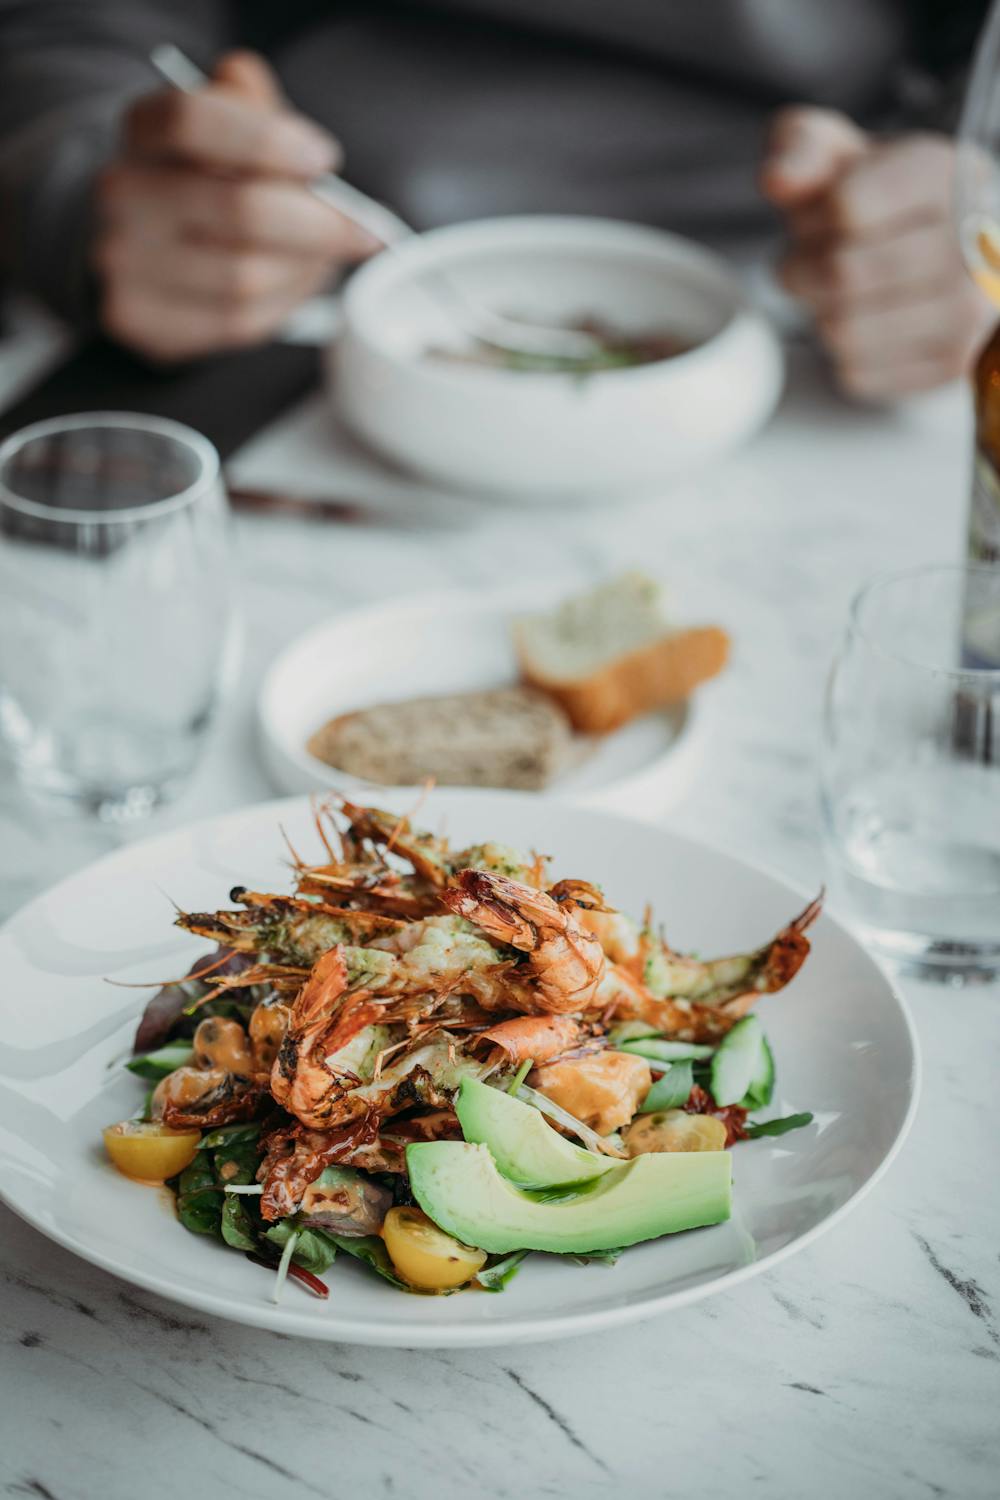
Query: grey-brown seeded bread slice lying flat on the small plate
509,737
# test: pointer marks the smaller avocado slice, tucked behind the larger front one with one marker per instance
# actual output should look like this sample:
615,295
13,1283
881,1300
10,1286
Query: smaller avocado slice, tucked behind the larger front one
525,1148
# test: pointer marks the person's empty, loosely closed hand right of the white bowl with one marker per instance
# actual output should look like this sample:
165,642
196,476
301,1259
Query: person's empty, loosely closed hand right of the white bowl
875,253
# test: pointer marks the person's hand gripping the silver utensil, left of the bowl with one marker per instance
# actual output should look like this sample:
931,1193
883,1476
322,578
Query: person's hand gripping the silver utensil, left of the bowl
208,236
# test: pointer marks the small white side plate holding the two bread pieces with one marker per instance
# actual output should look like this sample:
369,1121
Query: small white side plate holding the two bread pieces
449,644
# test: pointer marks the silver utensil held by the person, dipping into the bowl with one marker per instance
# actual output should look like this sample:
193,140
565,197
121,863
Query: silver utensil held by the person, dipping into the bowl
469,317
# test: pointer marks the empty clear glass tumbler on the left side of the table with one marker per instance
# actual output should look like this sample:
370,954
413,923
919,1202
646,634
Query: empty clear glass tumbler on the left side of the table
115,607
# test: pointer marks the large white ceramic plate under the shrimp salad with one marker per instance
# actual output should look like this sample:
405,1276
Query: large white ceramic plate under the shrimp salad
843,1043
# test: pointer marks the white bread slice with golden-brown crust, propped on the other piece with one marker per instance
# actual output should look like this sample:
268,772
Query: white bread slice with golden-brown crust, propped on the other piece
609,656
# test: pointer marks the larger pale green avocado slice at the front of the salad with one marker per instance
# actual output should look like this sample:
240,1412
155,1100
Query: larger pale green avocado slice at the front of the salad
458,1186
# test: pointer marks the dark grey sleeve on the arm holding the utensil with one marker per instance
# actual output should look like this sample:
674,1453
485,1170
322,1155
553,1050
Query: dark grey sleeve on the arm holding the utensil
68,68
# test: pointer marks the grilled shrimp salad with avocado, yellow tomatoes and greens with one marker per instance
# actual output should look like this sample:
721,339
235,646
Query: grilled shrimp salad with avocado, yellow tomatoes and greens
439,1063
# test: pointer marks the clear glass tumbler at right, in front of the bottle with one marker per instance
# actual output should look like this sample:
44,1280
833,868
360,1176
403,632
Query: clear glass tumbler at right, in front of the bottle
911,772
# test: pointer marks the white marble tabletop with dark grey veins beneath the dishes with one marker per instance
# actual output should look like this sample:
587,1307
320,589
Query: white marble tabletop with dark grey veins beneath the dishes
870,1364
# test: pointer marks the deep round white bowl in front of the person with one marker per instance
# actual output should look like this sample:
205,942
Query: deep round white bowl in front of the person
554,436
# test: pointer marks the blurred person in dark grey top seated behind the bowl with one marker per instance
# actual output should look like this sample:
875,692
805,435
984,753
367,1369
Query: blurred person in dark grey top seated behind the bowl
182,224
